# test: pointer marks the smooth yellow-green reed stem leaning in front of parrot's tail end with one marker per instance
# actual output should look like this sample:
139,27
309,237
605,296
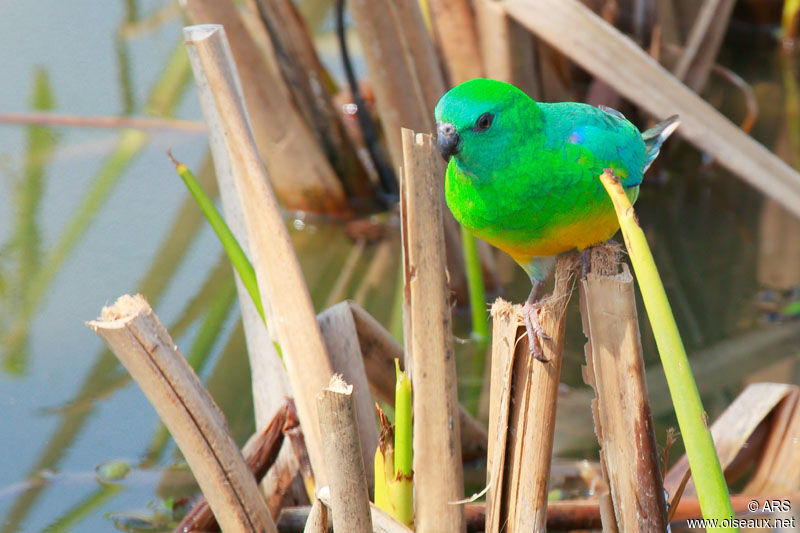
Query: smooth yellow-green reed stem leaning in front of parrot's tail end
706,471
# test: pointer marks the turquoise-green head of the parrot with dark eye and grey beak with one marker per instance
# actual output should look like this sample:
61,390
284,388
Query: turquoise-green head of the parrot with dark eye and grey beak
479,123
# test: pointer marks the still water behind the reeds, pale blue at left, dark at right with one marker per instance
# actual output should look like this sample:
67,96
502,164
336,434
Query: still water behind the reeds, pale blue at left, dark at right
67,407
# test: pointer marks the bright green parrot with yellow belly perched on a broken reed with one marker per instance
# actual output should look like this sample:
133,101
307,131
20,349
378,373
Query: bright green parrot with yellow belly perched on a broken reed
524,175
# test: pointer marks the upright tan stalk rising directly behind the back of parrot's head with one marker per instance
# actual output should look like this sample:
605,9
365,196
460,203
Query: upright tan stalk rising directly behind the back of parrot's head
507,49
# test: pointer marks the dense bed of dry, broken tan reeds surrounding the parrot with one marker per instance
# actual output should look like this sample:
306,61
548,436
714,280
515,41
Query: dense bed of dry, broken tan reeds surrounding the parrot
336,363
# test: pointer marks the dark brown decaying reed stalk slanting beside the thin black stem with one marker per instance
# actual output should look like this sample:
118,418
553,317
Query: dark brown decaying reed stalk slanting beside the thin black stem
297,60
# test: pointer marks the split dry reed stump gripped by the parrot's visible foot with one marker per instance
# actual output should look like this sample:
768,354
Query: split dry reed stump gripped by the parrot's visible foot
522,409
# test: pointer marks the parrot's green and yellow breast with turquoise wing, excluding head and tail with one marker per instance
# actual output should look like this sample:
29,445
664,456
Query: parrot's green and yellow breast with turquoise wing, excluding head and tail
550,197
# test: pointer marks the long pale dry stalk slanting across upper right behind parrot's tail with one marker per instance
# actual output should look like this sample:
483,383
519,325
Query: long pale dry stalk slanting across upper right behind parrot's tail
605,52
